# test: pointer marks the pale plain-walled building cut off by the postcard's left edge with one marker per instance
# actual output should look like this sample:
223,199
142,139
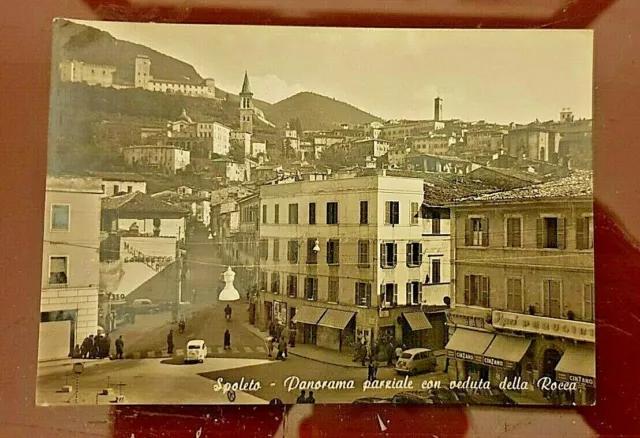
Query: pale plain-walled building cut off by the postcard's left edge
70,265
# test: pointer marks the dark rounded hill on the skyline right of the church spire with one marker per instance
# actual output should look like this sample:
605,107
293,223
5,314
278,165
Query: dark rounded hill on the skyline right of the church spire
316,112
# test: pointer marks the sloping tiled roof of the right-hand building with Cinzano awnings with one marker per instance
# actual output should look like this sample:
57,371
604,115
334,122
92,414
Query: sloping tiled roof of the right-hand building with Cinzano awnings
578,185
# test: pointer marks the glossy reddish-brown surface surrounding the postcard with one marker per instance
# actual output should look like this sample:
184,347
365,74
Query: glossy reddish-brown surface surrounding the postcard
25,46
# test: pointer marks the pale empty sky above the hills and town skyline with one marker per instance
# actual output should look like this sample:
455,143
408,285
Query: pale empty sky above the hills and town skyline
499,76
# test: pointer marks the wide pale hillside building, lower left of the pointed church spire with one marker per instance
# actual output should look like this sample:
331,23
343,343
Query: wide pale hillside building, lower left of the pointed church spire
166,160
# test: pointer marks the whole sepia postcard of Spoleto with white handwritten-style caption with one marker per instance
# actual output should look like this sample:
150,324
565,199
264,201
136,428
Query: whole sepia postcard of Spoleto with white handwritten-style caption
290,215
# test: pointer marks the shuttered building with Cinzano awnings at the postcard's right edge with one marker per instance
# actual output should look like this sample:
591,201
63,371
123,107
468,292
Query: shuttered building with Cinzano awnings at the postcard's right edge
524,286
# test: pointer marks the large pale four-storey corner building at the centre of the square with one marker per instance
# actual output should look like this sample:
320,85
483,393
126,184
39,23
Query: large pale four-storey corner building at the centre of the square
344,259
